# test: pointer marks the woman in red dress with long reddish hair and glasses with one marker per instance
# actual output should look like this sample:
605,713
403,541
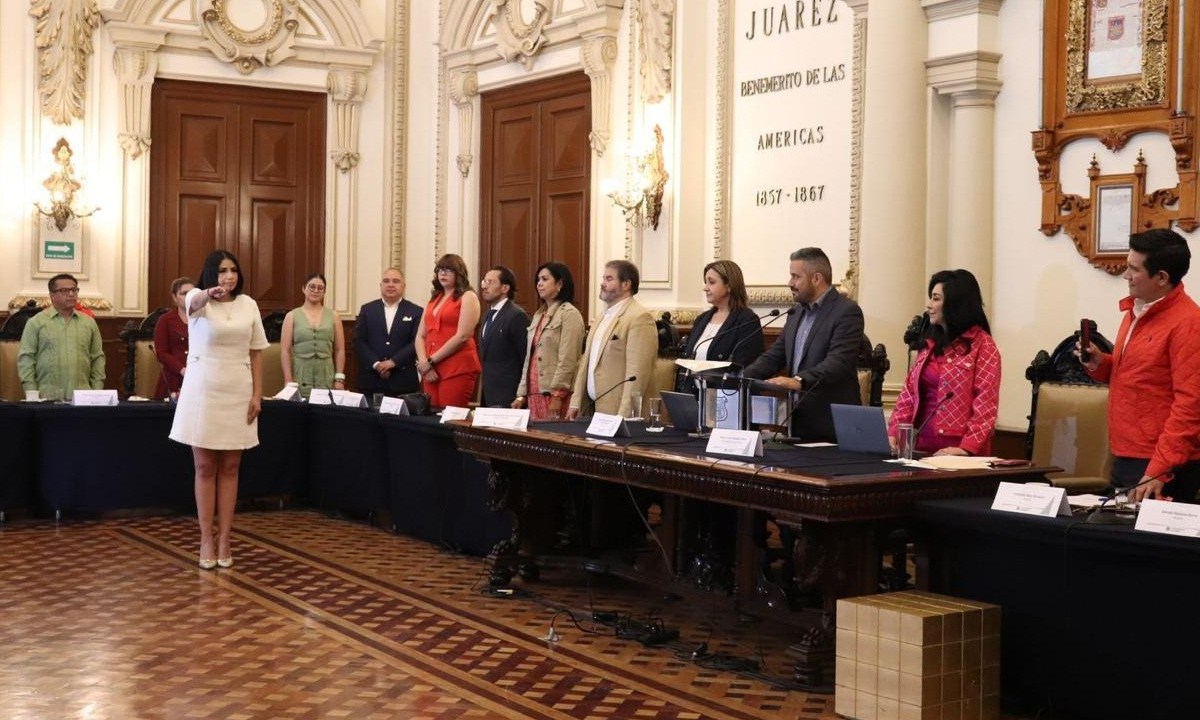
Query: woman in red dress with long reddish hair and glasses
447,359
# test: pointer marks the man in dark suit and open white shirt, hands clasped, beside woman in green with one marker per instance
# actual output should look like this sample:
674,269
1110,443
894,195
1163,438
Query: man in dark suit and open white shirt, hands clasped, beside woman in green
383,340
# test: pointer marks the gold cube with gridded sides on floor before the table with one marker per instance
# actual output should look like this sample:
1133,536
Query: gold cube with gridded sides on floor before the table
917,656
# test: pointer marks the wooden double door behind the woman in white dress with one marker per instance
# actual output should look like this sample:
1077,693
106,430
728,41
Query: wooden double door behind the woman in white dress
241,170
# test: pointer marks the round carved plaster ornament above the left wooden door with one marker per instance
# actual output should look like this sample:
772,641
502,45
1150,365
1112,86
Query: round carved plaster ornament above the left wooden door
250,49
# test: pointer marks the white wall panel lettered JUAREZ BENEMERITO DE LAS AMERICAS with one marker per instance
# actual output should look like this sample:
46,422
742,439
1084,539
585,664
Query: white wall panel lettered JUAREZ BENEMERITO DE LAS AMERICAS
789,128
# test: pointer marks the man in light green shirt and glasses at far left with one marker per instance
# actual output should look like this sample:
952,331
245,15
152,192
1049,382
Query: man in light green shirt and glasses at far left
61,349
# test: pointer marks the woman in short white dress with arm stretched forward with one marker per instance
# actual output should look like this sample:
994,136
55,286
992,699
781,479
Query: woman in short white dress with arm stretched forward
219,406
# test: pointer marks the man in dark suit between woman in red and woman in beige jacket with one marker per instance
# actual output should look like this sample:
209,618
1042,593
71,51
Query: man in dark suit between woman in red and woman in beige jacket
502,339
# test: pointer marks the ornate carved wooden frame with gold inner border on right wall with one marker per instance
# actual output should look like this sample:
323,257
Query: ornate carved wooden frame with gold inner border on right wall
1161,99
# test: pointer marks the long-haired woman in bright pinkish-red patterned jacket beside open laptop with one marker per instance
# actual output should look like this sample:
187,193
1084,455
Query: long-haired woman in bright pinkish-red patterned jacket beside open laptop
952,393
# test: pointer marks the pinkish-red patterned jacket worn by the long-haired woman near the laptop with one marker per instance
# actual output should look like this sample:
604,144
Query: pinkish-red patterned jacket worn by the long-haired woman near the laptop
974,377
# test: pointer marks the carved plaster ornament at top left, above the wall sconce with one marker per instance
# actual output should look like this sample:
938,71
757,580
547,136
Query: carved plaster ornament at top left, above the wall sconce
64,45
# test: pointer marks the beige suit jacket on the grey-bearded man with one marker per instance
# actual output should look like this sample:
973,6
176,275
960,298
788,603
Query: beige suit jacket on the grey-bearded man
631,346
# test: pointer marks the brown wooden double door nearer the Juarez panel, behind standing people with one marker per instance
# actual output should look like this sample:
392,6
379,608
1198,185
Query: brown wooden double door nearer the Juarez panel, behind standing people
536,181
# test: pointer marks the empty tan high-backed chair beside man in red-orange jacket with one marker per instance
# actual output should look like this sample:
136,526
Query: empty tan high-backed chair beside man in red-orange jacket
1069,418
